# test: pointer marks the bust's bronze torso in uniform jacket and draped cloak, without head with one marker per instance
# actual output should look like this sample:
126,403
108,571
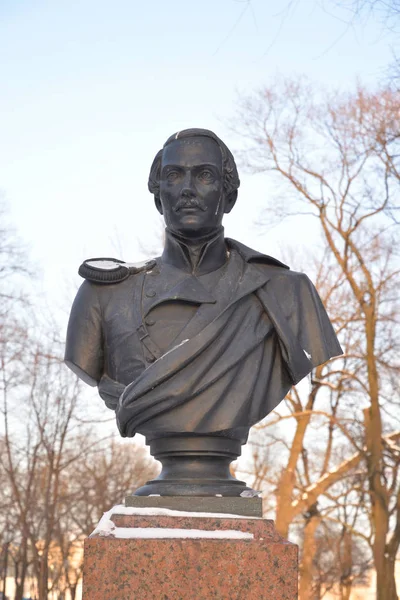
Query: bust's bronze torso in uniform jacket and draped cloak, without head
175,350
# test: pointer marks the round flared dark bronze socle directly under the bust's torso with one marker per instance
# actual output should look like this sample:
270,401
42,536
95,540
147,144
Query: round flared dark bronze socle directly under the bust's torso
194,465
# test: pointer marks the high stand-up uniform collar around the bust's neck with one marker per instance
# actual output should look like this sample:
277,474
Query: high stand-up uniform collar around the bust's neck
207,254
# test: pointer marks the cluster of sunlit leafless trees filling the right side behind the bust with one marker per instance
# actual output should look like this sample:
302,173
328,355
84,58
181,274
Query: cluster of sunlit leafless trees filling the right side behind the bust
335,158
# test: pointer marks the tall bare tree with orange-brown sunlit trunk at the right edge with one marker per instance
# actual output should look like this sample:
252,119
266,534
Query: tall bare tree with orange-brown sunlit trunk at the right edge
336,158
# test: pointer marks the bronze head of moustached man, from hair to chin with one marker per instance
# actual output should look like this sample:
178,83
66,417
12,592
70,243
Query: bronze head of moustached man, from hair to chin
194,180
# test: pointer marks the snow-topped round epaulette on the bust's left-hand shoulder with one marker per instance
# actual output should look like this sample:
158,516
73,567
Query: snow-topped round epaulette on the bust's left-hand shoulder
111,270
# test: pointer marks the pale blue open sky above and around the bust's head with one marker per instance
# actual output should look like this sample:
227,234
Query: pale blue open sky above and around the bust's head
91,89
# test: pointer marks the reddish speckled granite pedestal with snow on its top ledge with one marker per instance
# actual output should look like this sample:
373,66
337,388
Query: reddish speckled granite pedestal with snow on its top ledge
147,556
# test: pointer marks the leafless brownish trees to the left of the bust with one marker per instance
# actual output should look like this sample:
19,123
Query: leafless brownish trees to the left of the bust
57,473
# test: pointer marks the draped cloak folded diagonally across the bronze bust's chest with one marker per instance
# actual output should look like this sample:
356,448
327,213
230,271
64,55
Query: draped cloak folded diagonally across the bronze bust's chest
236,358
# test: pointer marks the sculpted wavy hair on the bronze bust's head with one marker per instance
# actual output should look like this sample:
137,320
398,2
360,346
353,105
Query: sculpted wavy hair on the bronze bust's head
230,173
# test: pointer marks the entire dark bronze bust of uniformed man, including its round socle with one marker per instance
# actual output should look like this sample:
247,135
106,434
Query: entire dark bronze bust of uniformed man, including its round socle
193,348
